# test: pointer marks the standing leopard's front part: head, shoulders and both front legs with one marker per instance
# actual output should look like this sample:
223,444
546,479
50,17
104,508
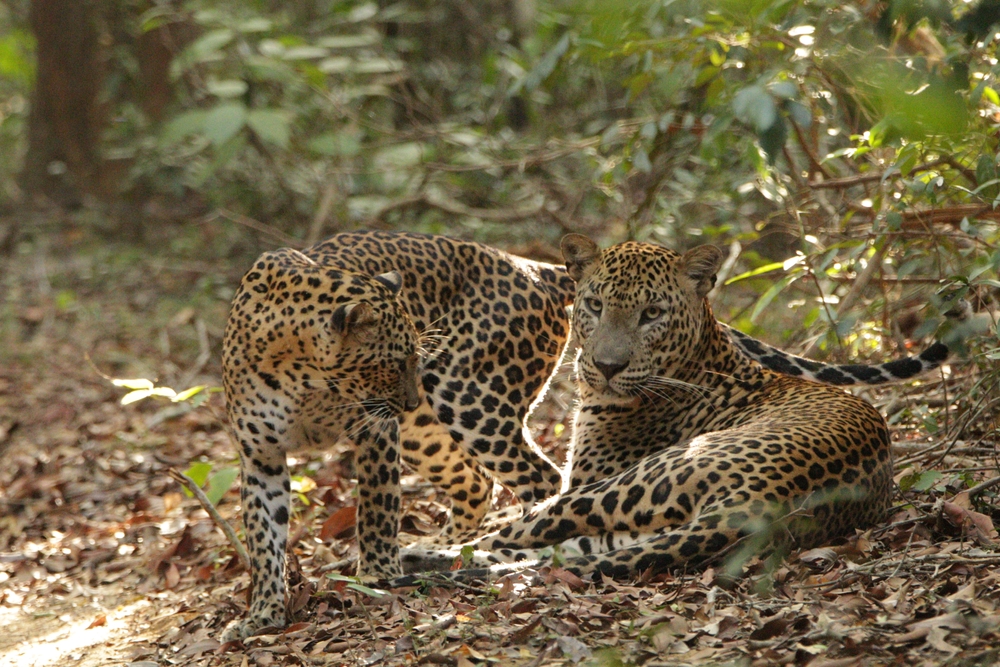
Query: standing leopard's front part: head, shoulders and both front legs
311,353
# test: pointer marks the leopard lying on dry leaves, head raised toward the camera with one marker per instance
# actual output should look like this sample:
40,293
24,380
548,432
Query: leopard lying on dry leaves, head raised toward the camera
689,446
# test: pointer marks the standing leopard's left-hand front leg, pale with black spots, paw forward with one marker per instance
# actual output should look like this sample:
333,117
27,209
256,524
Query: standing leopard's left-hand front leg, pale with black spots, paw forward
265,496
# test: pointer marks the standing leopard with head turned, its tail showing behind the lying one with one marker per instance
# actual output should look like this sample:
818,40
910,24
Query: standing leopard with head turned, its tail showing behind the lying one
493,329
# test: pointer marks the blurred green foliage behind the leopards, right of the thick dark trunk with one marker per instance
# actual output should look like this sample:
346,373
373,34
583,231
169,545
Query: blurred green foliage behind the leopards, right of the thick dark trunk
821,138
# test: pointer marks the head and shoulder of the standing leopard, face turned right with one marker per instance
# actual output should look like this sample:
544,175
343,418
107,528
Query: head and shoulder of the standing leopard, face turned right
316,328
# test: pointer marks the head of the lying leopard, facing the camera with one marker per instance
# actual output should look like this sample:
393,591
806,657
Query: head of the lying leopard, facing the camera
639,312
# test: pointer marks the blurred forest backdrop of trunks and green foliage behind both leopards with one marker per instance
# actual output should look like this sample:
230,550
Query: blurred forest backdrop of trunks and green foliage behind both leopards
845,153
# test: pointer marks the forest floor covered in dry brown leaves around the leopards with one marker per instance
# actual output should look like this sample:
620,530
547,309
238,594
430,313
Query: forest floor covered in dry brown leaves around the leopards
103,559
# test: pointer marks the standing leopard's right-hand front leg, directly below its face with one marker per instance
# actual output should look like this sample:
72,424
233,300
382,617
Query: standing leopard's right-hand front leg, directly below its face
377,466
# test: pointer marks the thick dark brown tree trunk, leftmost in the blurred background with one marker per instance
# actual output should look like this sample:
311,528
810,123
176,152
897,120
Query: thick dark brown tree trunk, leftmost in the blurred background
63,161
